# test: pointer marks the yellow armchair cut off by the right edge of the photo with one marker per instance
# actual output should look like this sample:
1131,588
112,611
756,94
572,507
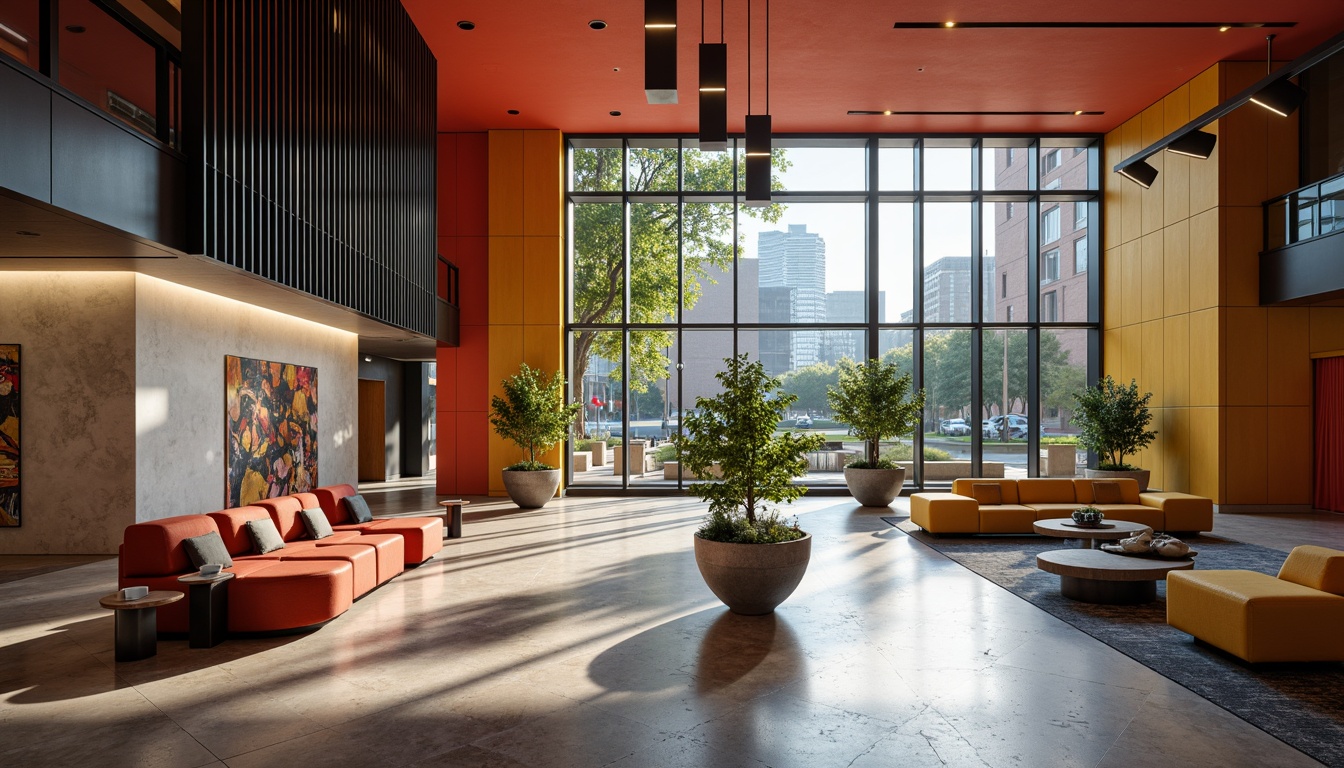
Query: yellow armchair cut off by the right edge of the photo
1295,618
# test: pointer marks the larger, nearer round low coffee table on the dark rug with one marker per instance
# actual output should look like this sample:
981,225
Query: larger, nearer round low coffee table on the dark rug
1095,576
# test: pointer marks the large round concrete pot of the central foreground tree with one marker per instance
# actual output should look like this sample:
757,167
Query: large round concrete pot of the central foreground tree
753,579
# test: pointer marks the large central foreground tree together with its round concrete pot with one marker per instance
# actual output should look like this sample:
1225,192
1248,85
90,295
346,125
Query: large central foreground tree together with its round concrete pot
749,556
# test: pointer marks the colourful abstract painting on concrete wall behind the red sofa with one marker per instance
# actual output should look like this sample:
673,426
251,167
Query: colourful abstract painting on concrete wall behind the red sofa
271,430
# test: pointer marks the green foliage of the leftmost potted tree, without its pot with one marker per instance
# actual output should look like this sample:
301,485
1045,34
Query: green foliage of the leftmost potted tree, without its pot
533,414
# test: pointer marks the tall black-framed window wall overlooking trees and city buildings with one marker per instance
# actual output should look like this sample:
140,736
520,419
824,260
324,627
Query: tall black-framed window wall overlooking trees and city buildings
970,263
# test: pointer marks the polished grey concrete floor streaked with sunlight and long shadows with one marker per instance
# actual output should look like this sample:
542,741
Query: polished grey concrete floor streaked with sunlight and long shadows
583,636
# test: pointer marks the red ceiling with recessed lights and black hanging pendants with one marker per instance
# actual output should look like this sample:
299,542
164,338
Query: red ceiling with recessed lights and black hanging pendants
541,59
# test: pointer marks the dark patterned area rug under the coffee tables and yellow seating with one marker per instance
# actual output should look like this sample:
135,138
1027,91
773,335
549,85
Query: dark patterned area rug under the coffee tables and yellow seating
1299,704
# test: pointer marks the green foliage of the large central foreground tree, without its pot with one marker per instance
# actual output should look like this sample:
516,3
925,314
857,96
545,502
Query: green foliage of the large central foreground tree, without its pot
736,430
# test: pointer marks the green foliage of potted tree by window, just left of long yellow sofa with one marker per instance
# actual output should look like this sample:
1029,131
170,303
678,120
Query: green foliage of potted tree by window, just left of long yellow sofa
874,399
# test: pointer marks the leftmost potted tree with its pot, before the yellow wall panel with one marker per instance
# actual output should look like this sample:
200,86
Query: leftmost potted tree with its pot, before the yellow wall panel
533,415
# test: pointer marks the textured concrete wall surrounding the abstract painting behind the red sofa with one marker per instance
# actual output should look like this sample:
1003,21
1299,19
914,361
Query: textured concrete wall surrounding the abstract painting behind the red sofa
182,340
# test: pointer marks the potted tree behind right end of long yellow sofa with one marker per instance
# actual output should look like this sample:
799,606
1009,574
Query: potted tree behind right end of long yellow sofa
1114,422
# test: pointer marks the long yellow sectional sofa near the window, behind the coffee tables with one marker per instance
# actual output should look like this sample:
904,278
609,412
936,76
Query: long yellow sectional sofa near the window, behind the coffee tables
1030,500
